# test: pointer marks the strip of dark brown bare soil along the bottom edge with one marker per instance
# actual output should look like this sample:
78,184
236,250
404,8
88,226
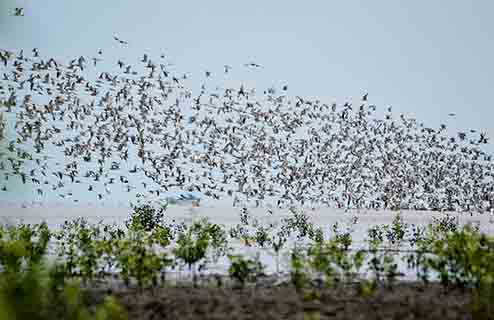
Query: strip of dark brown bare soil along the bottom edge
403,301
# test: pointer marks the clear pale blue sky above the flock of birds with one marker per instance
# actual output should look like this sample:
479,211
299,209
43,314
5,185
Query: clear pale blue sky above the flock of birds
425,58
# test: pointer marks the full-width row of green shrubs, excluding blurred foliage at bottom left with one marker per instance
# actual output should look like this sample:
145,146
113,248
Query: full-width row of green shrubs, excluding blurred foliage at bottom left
142,252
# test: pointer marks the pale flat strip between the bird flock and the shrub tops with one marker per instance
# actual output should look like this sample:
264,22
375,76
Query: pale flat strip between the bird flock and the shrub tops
55,215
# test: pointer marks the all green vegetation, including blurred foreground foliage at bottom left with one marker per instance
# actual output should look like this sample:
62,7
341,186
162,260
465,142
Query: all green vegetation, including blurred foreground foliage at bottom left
48,274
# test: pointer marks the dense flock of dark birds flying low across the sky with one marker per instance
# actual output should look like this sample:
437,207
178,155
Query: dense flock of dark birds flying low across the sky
140,129
